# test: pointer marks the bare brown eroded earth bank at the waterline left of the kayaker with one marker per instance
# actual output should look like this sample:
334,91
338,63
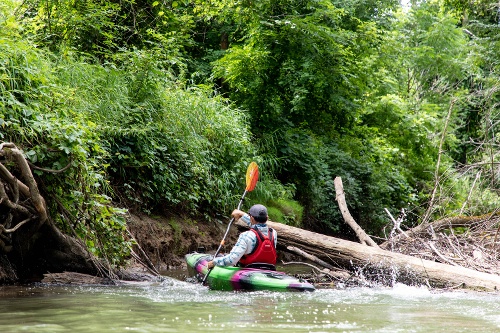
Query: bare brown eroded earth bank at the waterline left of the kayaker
161,244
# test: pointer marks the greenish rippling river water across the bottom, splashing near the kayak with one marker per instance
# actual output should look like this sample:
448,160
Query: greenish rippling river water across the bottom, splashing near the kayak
178,306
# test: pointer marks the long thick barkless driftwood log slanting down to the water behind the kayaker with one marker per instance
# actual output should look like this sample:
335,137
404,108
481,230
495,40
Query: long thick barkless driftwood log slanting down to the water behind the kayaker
388,267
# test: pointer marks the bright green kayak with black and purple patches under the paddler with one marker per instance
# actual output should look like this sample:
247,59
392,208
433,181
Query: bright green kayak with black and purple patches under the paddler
237,278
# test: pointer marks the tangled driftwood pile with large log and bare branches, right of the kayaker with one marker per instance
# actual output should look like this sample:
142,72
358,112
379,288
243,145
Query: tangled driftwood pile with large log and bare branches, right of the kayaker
456,252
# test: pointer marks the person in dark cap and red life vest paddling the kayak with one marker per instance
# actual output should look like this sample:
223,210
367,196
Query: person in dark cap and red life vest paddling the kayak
256,246
